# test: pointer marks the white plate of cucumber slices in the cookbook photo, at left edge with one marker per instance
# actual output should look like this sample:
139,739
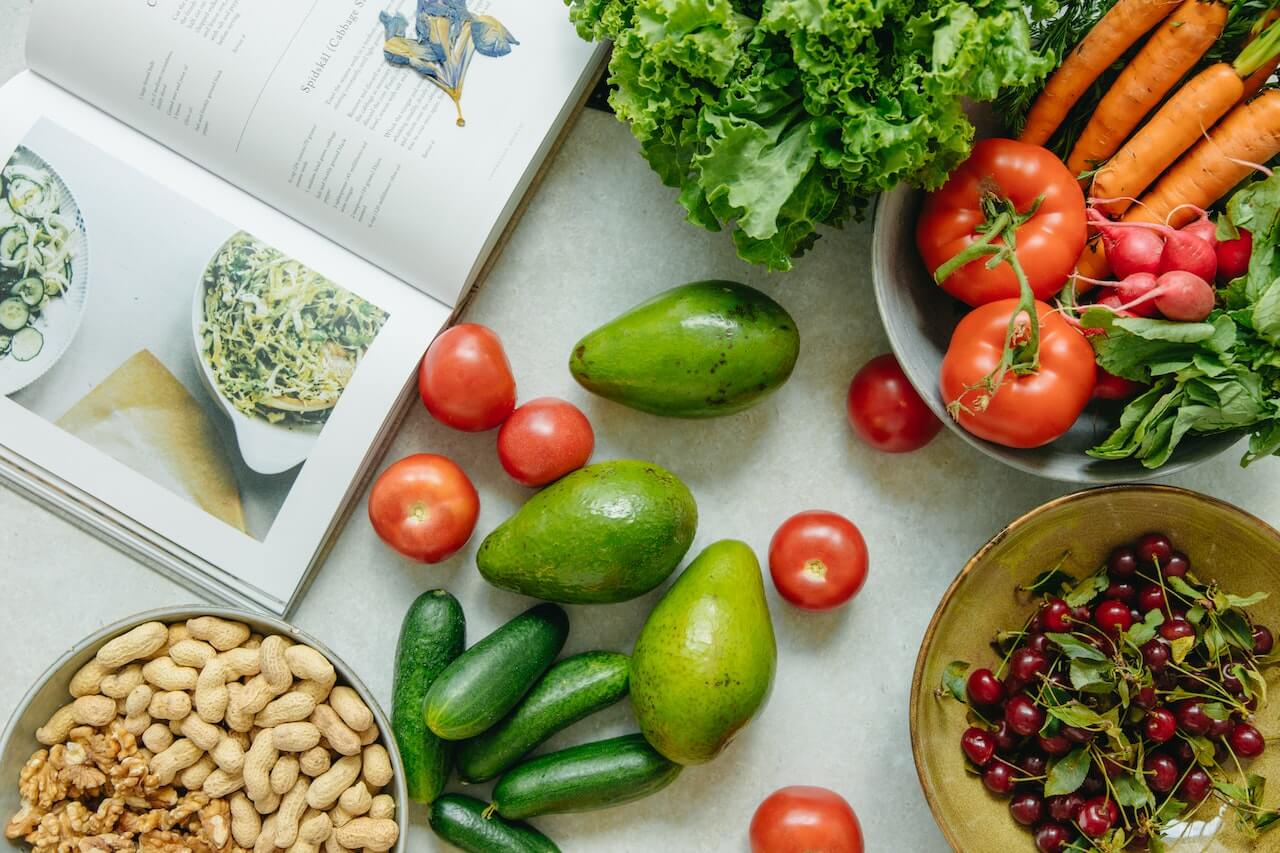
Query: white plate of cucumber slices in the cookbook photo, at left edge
61,320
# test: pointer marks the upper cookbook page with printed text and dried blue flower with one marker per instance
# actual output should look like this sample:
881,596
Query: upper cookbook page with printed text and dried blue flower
404,131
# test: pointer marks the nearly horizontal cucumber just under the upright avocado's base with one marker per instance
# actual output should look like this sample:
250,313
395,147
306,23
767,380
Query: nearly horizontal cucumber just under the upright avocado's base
582,779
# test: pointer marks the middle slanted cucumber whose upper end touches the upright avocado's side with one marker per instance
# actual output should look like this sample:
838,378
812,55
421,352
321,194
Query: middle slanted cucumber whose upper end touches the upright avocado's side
572,691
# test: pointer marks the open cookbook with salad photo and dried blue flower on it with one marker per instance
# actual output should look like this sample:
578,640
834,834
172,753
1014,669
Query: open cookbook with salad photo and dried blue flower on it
228,231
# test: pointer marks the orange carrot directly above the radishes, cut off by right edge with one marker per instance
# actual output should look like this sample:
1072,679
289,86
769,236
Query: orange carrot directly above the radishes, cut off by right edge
1249,135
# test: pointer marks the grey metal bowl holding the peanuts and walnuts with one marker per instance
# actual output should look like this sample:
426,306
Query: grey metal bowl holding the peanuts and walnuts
51,694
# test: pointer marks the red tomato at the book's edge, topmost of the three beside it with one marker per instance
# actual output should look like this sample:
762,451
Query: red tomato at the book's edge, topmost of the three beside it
465,380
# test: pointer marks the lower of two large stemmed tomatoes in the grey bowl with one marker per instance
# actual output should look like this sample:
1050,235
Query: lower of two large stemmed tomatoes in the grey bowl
1027,410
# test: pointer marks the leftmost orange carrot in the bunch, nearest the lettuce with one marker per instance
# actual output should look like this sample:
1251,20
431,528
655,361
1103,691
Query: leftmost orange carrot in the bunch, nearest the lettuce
1109,39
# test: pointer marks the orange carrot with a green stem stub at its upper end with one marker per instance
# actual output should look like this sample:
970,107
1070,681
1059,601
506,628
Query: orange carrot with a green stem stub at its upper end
1174,129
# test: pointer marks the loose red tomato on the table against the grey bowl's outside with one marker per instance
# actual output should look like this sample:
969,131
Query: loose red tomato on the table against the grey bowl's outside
886,412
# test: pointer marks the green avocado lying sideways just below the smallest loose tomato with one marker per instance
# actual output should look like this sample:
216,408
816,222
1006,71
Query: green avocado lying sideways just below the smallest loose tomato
606,533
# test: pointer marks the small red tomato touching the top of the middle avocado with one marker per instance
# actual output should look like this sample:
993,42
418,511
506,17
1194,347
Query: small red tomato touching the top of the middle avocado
545,440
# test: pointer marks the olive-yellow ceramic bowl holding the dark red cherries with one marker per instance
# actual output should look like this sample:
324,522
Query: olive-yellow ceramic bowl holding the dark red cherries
1223,544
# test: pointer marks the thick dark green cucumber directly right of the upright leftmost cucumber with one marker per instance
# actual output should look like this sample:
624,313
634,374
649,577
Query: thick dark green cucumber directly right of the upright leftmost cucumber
493,676
